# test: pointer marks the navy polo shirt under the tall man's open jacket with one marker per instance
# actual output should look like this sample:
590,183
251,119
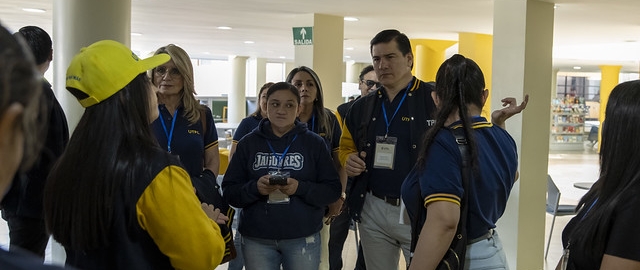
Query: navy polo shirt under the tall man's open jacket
386,182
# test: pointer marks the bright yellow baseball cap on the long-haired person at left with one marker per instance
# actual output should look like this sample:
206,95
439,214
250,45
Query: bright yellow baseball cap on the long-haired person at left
104,68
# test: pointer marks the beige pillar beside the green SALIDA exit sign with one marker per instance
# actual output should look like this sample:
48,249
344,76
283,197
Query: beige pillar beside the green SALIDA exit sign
325,55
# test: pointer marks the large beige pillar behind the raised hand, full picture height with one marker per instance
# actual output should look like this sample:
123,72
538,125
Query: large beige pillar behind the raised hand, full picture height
522,64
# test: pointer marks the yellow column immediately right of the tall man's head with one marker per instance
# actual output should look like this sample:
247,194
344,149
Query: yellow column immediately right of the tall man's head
428,55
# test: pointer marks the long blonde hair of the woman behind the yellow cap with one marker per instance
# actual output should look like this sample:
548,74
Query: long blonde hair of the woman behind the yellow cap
180,58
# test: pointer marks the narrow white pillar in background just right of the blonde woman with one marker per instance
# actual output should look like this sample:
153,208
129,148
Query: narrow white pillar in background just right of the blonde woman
236,105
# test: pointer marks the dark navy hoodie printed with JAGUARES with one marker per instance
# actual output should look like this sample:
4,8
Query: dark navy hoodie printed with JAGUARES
307,160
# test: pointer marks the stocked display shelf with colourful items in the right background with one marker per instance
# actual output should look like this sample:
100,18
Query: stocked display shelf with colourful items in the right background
567,126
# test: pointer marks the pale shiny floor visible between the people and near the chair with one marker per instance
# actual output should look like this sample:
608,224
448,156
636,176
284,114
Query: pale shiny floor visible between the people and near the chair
565,168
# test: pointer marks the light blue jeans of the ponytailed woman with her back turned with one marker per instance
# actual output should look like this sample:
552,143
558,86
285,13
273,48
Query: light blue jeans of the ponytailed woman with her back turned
486,254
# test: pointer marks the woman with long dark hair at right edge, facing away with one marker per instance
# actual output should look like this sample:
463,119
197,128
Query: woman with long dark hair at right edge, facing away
606,232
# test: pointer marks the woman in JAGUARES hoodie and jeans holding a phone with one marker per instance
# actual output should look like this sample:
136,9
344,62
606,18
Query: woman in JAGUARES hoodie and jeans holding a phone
279,177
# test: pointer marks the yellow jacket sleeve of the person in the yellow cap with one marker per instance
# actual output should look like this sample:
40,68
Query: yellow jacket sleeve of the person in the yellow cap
171,213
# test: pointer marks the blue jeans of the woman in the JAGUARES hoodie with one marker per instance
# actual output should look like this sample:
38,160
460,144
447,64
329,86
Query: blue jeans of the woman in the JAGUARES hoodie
267,254
